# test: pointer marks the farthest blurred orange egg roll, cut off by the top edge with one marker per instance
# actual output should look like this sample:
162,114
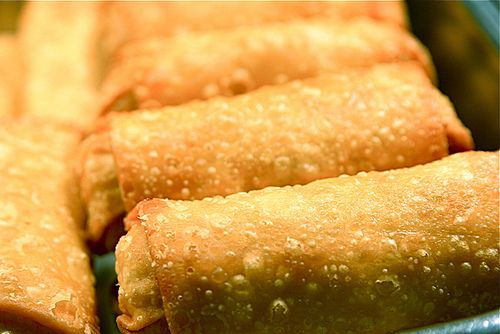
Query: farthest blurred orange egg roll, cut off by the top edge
134,20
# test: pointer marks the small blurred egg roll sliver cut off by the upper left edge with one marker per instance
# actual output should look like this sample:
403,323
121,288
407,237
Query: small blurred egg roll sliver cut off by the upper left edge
10,74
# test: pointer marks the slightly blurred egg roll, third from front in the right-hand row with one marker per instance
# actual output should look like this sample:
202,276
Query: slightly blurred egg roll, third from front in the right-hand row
170,71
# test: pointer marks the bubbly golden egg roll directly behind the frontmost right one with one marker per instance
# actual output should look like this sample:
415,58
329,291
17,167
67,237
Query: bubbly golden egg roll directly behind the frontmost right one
384,117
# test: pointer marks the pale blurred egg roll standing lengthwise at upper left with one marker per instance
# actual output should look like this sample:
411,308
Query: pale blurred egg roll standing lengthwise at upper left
59,46
